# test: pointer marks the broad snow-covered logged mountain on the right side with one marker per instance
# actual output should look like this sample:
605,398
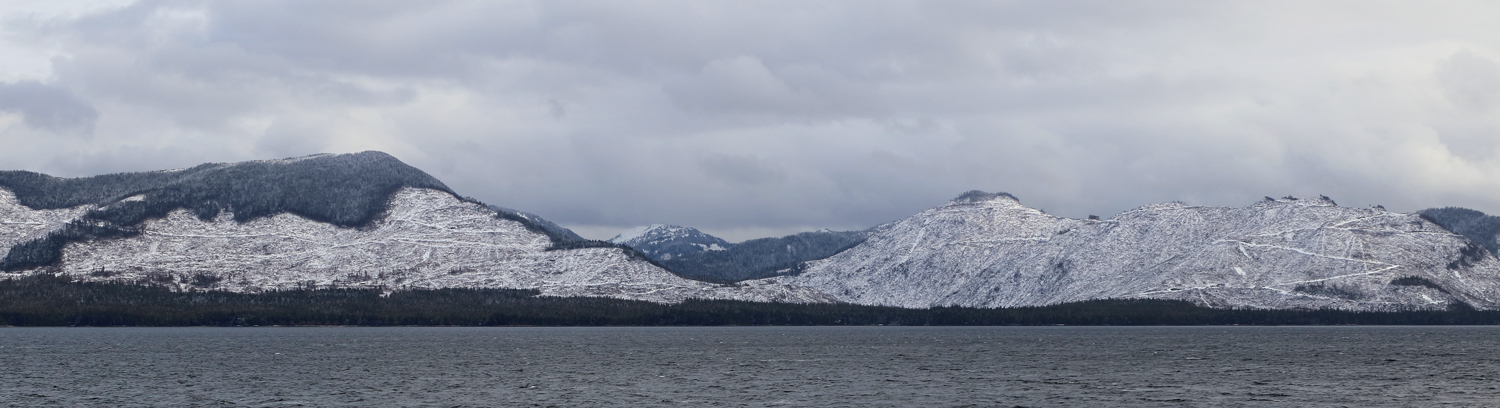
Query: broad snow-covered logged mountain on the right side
988,250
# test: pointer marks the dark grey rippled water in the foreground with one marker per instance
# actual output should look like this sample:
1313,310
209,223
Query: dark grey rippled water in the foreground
752,367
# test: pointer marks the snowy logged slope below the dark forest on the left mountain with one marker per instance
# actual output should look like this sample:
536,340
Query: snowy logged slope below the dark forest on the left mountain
430,239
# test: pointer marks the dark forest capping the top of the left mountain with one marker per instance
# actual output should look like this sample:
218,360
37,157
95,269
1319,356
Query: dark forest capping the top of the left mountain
343,190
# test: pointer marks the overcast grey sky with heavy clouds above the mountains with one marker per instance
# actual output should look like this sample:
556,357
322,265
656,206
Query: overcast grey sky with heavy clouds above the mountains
760,119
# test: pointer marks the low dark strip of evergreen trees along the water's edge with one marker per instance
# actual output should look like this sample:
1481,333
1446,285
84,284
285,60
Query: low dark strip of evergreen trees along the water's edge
52,301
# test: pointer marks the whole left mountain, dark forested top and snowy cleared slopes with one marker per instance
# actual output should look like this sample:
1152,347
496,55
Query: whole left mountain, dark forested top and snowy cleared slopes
188,230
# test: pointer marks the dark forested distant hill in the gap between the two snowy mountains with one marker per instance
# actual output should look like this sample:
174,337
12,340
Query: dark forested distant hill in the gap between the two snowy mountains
764,257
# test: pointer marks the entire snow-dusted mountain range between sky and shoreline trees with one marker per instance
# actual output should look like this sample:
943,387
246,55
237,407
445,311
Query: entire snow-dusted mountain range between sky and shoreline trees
370,221
